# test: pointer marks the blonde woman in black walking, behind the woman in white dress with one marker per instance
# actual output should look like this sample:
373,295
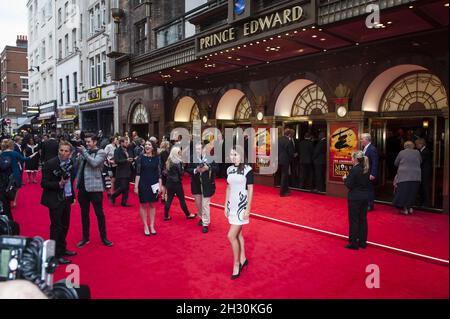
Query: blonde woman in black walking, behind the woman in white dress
174,168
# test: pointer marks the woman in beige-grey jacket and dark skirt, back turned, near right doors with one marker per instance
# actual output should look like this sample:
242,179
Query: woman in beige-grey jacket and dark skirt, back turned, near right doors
409,176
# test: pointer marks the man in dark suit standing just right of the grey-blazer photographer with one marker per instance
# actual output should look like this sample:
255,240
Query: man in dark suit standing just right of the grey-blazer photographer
123,172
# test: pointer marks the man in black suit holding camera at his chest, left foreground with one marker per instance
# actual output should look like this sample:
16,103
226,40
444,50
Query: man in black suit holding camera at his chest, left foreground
58,196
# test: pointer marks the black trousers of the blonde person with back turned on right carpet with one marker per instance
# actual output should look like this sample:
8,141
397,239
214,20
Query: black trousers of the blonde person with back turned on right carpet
357,216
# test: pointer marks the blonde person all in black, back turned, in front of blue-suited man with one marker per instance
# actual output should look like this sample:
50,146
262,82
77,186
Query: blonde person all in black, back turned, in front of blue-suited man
357,182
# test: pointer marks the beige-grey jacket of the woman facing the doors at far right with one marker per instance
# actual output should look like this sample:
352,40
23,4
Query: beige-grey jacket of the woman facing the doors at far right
408,162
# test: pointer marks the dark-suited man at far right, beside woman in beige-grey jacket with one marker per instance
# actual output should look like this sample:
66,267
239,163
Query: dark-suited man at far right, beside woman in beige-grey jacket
427,173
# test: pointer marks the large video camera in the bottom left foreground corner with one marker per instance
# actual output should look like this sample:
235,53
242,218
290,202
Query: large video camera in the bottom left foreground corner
33,259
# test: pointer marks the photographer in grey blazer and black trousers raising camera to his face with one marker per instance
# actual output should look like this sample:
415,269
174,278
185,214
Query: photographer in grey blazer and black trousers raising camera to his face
90,187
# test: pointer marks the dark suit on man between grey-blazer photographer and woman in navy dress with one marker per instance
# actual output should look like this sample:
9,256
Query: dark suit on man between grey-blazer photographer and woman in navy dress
123,174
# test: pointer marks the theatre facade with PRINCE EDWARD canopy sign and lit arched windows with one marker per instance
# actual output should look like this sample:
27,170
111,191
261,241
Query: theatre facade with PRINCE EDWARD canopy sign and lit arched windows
340,67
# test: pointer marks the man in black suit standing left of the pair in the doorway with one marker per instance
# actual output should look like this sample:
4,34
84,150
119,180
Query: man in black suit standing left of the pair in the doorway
285,155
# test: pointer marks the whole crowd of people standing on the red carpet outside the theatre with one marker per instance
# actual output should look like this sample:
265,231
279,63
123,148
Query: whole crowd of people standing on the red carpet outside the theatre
88,165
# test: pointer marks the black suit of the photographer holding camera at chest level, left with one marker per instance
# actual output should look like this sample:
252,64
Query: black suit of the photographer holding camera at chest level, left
53,197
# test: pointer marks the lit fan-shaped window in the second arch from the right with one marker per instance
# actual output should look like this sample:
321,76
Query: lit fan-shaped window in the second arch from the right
310,101
